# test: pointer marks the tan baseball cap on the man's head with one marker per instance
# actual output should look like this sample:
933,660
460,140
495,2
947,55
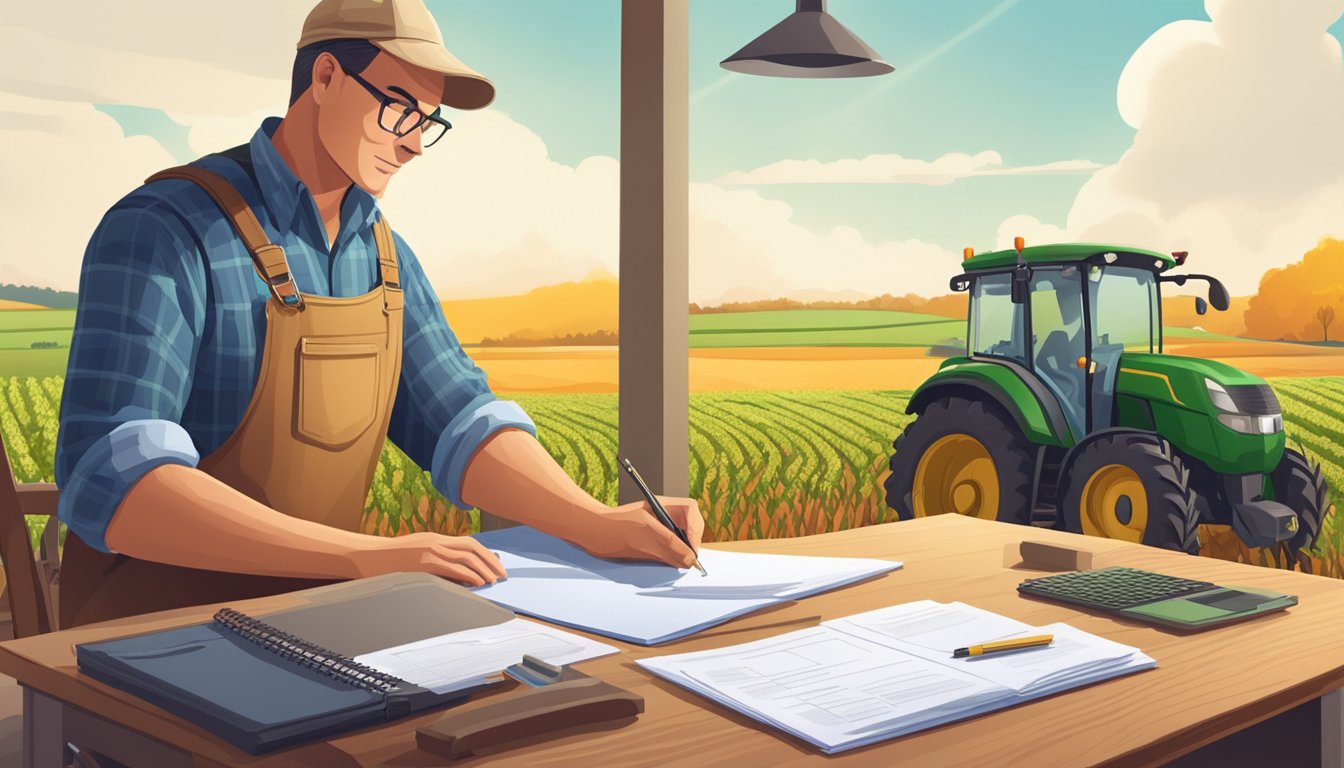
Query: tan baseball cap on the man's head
407,30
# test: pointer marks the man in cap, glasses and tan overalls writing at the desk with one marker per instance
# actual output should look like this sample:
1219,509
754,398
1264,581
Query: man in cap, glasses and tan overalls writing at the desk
233,376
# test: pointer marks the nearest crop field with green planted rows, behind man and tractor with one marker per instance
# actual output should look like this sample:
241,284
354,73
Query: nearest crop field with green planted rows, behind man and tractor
764,465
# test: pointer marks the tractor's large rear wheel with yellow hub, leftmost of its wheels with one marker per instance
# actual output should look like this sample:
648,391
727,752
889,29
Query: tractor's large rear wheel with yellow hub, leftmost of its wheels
962,457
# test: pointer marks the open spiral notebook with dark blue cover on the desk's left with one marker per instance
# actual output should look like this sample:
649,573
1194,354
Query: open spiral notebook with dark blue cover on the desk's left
284,679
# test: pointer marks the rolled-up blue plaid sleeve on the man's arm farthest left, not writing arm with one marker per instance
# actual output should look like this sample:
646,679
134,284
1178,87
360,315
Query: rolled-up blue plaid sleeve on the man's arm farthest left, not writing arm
138,329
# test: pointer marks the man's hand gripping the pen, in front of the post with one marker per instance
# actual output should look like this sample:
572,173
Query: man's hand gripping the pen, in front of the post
632,532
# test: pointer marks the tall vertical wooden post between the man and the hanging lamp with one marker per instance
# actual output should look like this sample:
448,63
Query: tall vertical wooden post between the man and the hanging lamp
655,294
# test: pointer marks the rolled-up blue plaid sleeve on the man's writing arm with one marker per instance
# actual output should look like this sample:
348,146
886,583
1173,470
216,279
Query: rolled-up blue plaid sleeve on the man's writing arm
444,408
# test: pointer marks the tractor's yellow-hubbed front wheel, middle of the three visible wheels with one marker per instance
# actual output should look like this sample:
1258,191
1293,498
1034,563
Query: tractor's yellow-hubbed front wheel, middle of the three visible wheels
1132,488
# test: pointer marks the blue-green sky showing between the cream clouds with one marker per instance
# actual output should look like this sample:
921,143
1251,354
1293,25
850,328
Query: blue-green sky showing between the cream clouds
1032,80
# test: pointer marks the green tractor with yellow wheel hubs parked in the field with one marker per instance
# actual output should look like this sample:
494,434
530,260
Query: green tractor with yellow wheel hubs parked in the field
1066,414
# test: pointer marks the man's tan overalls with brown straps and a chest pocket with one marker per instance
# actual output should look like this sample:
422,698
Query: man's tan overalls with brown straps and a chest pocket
307,446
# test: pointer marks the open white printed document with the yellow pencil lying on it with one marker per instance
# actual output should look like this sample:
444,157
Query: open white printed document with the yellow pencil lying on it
886,673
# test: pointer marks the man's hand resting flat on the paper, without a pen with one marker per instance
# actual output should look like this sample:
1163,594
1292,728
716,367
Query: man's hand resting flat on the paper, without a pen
460,559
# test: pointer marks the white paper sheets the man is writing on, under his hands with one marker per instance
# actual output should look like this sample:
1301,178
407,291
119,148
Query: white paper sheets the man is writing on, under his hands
650,603
